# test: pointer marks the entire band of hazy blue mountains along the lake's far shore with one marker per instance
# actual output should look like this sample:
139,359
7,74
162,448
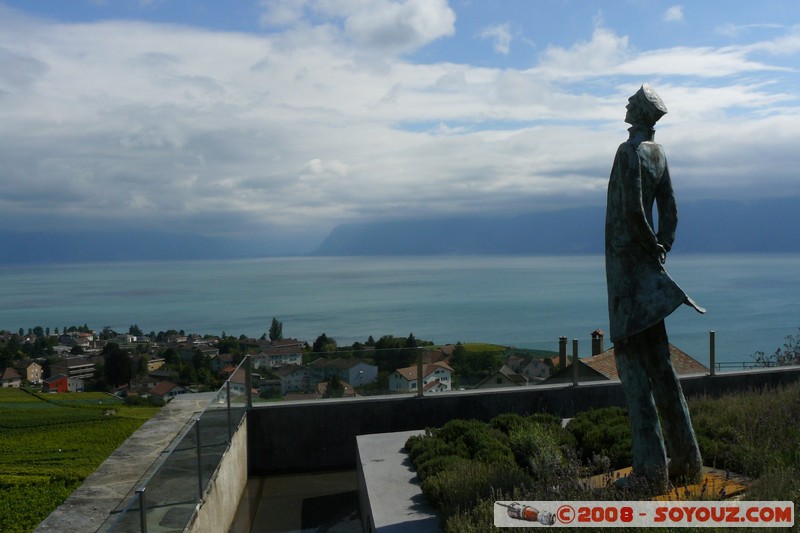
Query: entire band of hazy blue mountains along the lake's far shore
710,227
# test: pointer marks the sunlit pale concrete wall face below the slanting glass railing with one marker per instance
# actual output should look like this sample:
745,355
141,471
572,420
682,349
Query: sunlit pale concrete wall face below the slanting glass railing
218,509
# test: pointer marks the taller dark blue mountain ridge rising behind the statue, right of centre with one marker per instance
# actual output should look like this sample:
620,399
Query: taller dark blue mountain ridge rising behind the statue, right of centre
770,226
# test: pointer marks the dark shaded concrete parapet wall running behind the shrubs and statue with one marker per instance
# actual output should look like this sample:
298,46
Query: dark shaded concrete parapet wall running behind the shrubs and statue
319,435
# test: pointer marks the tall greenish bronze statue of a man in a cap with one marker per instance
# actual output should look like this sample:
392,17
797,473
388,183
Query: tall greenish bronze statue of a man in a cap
641,294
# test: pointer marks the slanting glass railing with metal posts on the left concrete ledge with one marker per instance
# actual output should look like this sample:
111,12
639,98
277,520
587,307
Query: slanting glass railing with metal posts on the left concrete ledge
168,497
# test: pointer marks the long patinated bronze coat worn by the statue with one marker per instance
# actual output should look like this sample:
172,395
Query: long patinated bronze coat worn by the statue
640,292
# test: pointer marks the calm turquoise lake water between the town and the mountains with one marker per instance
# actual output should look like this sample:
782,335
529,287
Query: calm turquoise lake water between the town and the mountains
527,302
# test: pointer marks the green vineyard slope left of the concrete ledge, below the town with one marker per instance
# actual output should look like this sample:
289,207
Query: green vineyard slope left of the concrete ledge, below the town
51,443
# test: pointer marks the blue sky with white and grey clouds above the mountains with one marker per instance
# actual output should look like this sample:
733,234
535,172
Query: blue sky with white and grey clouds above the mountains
272,121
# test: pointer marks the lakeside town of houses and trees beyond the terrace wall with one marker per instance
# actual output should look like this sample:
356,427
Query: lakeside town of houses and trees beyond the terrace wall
160,366
